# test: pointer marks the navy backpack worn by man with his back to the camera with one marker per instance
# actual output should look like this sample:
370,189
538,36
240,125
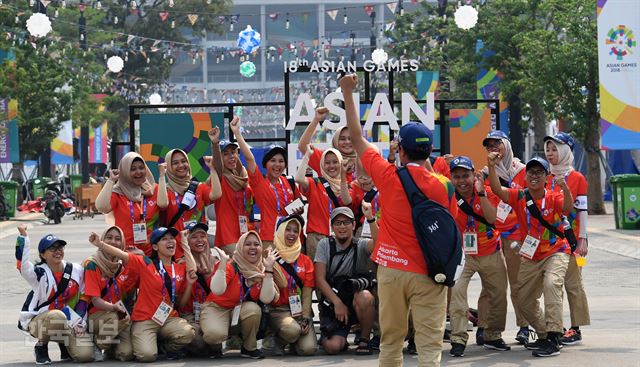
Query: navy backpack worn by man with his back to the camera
437,233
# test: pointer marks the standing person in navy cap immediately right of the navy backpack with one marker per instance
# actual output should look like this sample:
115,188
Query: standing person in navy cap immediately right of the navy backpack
481,241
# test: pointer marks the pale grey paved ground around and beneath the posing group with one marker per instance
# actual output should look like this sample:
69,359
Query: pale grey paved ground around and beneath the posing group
612,278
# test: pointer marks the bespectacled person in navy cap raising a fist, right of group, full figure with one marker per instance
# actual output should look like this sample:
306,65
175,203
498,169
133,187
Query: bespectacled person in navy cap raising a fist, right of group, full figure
545,256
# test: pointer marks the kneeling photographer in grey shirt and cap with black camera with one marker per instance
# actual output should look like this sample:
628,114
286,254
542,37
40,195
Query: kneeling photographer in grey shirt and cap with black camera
344,282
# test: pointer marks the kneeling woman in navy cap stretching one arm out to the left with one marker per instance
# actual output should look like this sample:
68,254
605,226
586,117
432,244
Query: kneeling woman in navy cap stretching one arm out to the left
164,286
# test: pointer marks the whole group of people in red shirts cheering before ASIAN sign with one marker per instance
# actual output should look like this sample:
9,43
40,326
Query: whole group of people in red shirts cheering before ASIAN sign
156,284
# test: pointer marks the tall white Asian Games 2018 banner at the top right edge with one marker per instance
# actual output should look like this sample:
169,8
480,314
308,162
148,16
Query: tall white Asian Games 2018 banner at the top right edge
619,71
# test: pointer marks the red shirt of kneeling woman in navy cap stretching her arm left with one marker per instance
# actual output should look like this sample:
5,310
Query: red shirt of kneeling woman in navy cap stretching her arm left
152,290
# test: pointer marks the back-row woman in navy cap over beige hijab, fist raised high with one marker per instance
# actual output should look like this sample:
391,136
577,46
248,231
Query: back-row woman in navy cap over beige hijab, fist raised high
234,206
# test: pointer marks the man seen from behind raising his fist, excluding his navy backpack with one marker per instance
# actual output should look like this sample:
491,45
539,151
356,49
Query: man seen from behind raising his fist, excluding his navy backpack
402,280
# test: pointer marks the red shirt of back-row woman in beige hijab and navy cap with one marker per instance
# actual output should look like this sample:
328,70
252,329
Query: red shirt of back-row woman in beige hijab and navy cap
229,208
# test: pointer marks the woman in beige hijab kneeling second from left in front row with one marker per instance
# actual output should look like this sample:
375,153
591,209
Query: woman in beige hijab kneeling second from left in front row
107,282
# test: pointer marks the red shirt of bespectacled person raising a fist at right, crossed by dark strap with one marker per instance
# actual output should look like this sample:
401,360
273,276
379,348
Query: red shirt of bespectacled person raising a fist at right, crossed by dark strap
551,208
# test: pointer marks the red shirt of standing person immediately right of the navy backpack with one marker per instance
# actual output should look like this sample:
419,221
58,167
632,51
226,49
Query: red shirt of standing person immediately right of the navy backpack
488,238
